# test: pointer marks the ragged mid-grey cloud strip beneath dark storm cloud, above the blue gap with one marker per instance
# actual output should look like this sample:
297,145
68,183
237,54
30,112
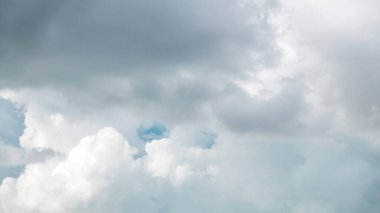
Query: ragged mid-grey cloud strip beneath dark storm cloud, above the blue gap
170,99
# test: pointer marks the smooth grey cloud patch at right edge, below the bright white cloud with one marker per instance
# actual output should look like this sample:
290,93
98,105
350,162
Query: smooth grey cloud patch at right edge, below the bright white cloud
358,76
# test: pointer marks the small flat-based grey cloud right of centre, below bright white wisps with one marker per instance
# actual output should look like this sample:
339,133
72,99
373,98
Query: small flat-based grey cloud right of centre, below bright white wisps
281,113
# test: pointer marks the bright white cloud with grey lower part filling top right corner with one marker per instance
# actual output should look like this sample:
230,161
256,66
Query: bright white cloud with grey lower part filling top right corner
349,54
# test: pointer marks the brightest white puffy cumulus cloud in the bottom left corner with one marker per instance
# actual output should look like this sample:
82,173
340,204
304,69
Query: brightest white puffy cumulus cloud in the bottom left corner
64,185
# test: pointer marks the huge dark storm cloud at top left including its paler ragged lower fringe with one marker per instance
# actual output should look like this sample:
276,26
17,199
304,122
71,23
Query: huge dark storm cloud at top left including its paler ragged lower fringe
174,58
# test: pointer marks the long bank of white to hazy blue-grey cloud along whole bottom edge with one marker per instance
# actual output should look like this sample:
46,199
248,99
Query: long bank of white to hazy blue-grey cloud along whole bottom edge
101,173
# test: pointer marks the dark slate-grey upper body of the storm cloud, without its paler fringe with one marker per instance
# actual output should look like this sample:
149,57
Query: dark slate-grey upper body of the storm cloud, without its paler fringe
51,41
